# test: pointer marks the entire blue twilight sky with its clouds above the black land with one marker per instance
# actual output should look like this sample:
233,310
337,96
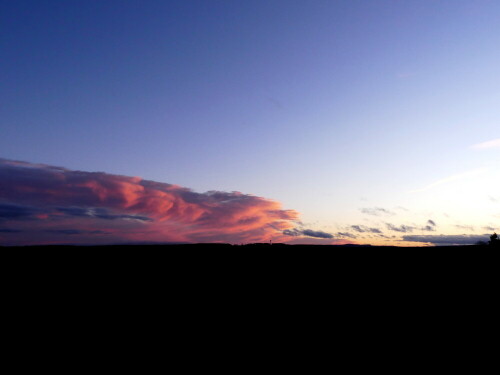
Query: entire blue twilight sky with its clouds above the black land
370,122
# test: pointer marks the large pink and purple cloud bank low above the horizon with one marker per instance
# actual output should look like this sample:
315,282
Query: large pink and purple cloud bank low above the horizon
42,204
